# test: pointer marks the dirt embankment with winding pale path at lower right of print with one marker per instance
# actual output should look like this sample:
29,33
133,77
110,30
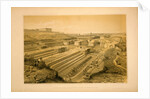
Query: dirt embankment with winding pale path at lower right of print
114,72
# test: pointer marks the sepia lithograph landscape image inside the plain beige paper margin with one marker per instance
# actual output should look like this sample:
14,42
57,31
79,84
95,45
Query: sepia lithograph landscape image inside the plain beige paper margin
75,49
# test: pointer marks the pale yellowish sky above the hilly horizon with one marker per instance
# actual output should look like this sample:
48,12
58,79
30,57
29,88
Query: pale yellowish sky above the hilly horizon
78,23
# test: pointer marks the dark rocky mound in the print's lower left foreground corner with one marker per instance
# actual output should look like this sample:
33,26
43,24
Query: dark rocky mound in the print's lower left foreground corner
33,74
